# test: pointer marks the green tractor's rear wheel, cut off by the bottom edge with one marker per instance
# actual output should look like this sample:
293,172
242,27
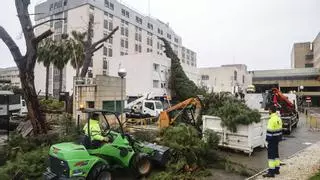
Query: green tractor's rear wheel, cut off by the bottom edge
99,172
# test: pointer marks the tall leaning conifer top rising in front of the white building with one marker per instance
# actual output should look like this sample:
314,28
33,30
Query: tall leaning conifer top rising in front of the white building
182,87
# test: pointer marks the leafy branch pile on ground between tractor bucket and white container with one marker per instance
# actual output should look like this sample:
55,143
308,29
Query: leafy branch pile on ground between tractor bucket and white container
190,155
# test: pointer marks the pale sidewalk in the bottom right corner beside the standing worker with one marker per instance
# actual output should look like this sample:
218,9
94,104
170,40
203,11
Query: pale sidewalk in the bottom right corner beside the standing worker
300,166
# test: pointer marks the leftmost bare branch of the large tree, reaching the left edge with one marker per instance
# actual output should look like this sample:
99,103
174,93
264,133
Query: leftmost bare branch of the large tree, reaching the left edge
14,49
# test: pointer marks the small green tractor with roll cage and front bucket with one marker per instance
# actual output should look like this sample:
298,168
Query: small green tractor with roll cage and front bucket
81,160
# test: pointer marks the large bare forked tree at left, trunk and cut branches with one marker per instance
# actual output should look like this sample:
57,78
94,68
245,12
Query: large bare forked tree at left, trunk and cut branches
26,62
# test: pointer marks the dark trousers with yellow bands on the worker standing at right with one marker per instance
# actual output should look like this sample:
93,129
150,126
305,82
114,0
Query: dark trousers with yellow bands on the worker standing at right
273,156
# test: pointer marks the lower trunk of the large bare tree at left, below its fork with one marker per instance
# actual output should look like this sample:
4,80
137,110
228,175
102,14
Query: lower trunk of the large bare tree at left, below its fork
27,83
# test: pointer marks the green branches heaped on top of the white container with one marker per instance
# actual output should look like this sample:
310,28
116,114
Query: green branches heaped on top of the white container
231,110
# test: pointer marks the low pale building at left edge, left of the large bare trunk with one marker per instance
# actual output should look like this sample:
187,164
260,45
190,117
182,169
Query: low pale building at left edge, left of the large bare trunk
11,74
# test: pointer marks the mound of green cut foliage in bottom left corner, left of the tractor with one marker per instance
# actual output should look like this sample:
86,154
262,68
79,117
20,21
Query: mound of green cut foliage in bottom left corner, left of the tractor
26,157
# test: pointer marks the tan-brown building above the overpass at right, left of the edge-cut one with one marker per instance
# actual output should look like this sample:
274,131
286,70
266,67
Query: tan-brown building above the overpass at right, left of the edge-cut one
302,55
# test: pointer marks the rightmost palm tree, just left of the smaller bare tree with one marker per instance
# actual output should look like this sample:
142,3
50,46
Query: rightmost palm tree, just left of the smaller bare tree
77,44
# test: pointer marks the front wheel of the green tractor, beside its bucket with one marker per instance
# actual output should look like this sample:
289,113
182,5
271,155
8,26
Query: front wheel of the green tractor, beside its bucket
141,165
